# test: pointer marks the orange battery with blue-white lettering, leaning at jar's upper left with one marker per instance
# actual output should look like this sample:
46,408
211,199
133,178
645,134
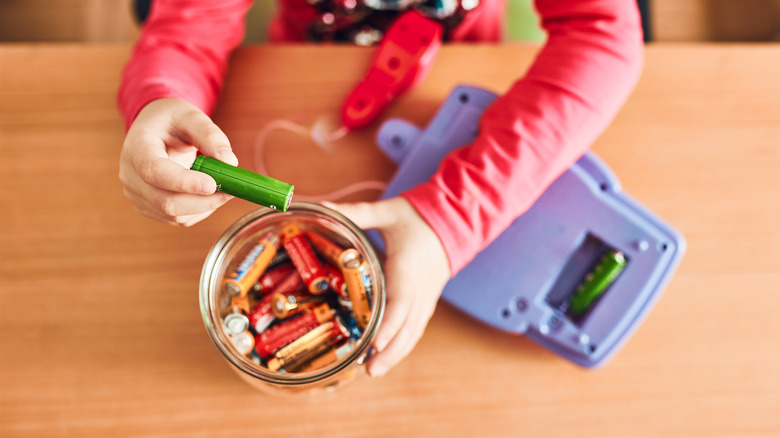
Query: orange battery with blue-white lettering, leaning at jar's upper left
244,276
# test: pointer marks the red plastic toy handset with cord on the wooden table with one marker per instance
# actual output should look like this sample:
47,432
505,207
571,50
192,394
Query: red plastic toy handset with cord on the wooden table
405,55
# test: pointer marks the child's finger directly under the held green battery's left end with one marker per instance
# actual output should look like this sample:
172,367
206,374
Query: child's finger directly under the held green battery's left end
164,174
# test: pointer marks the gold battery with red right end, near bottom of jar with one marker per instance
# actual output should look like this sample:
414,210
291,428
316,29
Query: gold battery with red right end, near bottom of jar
308,346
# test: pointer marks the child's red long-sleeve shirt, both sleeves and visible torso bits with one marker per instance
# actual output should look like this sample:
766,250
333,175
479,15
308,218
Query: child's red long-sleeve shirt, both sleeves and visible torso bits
528,136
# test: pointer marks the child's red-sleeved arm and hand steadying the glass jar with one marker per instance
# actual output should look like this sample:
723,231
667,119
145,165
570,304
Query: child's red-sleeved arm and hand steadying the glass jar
528,137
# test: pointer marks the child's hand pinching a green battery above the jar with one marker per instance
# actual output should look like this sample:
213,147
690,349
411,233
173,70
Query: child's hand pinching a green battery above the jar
154,164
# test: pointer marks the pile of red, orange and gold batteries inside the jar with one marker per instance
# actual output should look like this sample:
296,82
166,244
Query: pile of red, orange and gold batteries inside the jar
295,300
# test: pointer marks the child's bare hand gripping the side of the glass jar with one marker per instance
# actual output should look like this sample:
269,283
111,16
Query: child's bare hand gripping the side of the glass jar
416,271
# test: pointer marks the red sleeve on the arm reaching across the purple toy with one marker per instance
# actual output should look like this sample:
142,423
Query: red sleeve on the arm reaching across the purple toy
540,127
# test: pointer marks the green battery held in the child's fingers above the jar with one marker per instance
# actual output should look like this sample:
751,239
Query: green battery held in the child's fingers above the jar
246,184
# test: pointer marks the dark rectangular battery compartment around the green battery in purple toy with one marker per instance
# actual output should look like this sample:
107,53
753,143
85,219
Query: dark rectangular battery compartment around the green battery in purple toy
585,262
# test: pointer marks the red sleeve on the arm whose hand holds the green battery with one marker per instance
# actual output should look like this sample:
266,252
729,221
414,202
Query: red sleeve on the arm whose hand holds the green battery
182,52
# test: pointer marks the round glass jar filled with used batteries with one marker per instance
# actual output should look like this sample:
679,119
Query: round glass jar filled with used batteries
293,299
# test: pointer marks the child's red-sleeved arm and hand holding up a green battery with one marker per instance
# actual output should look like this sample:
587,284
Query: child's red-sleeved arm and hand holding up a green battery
170,83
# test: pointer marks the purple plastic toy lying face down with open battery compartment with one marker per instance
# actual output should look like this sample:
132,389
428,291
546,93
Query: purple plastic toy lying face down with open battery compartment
525,280
